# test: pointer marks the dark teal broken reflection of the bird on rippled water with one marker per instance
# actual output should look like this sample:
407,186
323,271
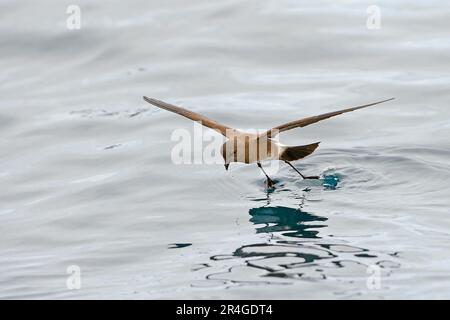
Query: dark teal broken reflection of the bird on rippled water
295,250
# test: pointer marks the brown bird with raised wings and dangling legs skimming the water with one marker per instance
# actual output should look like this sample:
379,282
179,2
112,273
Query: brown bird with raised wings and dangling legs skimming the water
253,148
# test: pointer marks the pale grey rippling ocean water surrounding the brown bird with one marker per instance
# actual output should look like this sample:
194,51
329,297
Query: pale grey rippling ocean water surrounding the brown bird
93,207
